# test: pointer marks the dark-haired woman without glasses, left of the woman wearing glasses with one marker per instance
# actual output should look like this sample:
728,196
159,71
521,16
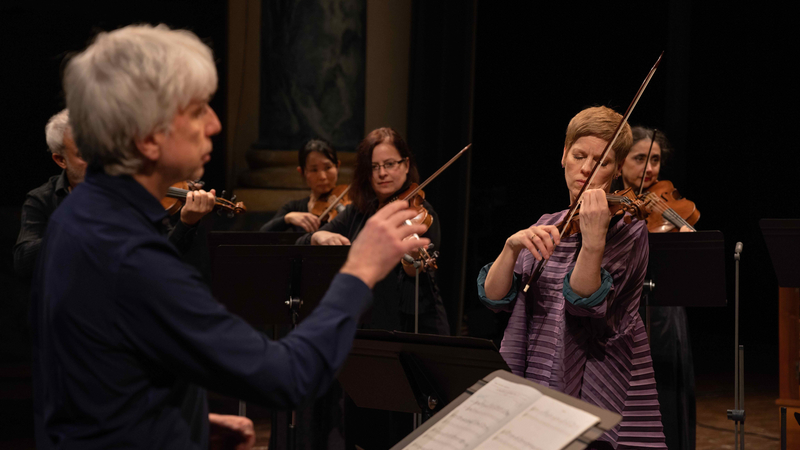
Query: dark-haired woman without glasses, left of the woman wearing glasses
319,166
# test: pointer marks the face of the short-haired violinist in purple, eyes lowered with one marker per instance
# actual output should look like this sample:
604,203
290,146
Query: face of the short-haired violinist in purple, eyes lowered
580,159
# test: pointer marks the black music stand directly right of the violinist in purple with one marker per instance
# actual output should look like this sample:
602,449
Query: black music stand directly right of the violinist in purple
687,269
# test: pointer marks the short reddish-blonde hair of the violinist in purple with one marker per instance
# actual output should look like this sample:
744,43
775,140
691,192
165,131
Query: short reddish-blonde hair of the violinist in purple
600,122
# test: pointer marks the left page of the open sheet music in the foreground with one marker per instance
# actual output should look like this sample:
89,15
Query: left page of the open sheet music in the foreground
478,417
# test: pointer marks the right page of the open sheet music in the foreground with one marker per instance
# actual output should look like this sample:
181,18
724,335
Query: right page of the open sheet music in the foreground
548,424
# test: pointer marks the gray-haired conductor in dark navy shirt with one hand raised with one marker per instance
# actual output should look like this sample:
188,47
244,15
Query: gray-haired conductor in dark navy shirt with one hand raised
126,336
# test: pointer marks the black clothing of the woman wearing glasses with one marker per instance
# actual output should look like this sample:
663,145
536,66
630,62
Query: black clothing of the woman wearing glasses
394,295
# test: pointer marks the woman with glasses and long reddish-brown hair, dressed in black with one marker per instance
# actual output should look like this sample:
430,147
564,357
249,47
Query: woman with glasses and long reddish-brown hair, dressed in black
385,167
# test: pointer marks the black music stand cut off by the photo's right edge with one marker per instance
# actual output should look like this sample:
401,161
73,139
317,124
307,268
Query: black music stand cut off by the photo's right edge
783,242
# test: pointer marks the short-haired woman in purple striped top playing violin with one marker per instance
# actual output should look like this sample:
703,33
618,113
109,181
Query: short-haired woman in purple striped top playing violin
577,329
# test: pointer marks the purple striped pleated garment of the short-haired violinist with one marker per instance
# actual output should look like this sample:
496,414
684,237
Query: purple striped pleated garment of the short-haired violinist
598,354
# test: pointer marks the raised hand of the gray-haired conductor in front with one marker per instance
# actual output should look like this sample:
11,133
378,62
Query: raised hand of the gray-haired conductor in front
380,243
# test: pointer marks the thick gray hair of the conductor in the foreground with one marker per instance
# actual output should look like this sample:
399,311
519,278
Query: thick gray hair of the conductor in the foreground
129,83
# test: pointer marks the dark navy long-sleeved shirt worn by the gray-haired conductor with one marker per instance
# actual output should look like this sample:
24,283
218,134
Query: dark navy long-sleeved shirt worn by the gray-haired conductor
124,331
